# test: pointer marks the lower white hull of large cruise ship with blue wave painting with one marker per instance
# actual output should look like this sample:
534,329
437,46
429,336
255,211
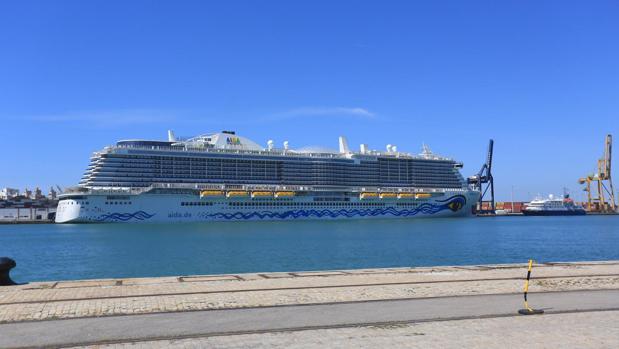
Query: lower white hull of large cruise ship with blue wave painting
98,208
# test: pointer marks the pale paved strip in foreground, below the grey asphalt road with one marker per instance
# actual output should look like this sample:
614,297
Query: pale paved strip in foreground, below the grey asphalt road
591,330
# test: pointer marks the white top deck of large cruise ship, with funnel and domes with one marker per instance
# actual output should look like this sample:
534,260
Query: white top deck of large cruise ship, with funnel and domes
227,142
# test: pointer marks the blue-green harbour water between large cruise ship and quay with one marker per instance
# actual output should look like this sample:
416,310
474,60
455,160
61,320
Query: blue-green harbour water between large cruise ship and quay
85,251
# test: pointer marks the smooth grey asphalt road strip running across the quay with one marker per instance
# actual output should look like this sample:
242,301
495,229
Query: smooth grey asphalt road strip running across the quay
218,322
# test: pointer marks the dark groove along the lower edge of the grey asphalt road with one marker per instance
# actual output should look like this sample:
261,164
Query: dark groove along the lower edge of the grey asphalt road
312,328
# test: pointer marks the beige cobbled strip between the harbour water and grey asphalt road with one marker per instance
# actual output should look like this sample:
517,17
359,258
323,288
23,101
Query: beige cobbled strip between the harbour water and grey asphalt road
75,299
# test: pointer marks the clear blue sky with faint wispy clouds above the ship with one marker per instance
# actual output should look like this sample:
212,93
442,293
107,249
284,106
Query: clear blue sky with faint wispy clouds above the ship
540,77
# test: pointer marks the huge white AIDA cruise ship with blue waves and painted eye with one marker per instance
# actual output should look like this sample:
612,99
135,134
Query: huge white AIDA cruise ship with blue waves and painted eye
227,177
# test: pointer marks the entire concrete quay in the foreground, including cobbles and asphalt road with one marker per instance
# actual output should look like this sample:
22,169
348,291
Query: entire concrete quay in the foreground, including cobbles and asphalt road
471,306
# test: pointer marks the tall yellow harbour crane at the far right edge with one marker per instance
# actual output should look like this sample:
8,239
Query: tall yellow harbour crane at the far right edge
602,183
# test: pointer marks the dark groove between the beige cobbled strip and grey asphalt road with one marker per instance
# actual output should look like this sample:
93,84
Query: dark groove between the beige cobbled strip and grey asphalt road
301,305
